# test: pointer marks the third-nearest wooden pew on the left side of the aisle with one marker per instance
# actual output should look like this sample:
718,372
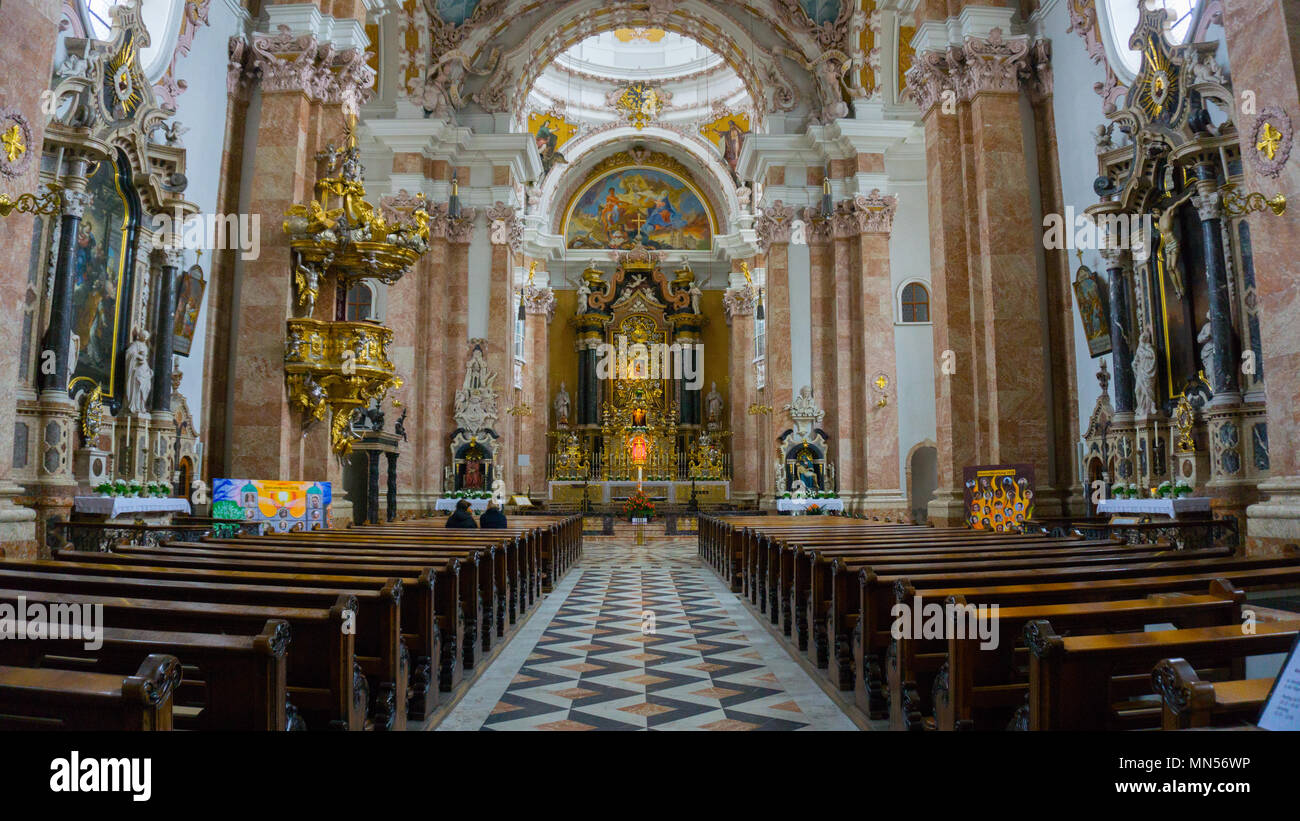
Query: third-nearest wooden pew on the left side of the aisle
324,679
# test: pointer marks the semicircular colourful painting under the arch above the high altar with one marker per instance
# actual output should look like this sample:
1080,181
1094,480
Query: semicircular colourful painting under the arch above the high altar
640,207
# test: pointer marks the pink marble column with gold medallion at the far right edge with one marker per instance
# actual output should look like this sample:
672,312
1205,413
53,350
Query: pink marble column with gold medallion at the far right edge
1264,49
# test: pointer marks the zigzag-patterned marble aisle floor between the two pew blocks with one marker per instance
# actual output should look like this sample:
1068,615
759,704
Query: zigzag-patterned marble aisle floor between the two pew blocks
593,658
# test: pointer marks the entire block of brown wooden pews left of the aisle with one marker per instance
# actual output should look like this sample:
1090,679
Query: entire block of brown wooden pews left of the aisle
339,629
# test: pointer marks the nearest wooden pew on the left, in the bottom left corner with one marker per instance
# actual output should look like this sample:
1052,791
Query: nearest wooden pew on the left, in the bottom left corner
44,700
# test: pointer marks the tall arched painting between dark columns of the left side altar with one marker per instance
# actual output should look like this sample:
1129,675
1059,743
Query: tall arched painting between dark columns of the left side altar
101,284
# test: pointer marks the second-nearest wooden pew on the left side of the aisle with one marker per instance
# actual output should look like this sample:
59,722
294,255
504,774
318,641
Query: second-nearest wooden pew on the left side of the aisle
235,683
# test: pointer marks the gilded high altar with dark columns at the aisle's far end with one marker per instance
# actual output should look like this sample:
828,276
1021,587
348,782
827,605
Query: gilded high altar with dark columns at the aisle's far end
640,414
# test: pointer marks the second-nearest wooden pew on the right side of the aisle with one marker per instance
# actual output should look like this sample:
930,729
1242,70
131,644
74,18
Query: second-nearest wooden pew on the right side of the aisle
1097,683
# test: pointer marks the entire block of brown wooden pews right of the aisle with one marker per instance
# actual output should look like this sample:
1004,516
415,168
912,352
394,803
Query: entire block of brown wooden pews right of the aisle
1077,628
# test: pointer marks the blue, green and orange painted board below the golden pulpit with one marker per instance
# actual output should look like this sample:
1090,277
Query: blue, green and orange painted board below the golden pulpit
283,507
